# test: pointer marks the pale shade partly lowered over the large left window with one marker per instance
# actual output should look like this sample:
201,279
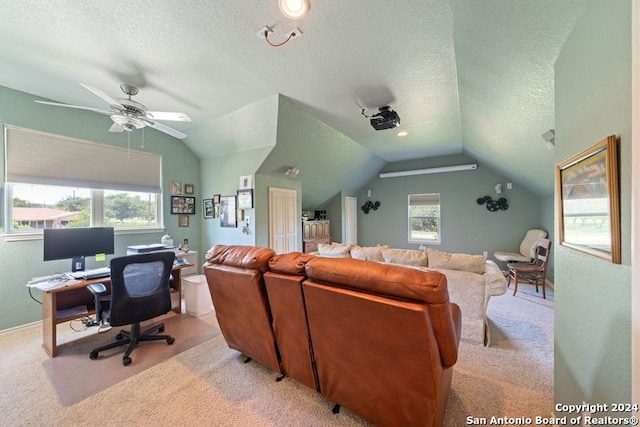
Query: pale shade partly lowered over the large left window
35,157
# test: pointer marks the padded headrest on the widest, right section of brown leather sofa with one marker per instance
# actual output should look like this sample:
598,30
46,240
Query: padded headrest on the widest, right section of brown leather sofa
383,279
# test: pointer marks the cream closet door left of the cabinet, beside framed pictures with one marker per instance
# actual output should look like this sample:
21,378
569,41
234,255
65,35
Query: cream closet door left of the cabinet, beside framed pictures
283,220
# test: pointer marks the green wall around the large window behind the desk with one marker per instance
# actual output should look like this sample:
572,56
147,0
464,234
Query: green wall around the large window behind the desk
22,260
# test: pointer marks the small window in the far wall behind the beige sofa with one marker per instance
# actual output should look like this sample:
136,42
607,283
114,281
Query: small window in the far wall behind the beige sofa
424,218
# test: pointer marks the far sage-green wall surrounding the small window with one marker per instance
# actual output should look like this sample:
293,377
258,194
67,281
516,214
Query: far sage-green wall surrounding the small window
466,226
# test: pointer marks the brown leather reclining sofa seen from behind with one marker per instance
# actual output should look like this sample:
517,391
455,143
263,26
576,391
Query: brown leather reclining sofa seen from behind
378,339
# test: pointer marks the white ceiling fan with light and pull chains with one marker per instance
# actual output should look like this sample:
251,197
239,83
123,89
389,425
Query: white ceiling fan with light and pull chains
130,115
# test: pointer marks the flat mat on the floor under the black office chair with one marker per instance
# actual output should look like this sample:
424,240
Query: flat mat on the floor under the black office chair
74,376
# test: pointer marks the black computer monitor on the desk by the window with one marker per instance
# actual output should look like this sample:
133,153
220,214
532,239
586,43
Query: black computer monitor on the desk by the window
76,243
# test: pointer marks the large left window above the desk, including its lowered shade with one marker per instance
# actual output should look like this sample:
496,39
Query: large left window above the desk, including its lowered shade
79,184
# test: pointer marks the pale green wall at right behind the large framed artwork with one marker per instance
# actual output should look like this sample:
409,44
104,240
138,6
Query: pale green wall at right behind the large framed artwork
593,310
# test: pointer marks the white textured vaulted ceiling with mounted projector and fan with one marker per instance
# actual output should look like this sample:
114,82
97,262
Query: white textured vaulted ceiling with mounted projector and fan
473,76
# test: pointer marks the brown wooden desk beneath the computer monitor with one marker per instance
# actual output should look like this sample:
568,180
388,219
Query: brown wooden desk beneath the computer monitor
53,314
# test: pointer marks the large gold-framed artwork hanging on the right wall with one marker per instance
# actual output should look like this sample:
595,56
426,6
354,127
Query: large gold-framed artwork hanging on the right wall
589,201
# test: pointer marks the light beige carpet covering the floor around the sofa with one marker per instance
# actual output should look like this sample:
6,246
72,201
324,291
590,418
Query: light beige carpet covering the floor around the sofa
210,385
